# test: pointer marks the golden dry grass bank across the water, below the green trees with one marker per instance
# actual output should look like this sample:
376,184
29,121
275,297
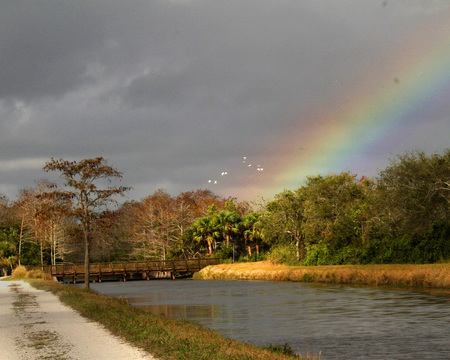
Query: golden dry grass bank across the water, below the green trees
430,276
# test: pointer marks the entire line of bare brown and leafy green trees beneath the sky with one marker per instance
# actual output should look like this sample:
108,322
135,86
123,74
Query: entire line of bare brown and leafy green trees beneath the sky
400,216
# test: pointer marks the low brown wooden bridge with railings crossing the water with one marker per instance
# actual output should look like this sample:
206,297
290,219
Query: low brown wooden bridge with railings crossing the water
129,270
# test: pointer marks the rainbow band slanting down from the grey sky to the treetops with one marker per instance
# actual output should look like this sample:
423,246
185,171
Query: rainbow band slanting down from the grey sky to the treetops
340,138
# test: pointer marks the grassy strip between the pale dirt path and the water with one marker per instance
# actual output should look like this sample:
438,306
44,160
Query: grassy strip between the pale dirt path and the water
164,338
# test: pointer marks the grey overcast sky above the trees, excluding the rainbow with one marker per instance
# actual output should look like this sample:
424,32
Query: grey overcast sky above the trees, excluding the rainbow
176,93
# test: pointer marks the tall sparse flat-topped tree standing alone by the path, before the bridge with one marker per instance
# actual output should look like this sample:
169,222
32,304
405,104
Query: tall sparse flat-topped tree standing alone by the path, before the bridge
82,179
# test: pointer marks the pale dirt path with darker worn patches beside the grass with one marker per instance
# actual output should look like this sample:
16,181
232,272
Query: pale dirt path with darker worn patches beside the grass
34,324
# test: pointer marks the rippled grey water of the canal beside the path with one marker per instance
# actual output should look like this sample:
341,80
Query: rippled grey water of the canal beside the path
342,322
